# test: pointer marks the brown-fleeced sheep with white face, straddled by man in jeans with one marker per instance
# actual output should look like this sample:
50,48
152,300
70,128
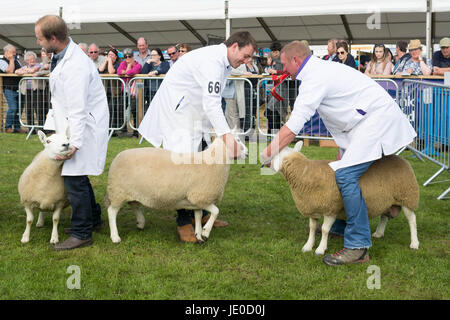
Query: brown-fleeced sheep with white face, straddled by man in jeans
387,184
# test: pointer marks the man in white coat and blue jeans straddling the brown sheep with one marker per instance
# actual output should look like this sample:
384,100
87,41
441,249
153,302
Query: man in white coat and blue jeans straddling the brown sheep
366,124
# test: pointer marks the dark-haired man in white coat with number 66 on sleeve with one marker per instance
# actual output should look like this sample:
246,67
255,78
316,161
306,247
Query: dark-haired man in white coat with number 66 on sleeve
189,101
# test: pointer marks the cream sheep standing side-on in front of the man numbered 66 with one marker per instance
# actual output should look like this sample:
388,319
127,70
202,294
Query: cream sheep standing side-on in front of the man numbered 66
163,180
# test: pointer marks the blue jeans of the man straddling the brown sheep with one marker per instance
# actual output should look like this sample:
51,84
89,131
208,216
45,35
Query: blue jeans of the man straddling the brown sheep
356,228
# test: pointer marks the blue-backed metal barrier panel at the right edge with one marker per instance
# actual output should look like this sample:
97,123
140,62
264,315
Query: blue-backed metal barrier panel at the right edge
427,106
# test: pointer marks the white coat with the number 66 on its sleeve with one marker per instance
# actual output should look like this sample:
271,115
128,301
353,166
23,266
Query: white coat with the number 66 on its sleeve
189,101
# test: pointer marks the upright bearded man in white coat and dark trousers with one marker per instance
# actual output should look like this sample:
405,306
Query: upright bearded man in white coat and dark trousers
79,104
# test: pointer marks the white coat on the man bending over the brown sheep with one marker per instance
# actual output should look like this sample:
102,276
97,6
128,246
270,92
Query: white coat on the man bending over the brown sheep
337,92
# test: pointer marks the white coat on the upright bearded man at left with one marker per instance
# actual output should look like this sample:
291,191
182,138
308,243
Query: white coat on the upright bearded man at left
79,102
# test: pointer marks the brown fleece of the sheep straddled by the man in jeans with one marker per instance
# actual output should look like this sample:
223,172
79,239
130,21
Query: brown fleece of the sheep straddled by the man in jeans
388,181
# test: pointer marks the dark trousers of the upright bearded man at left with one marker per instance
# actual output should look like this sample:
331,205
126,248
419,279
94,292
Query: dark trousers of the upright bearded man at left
86,213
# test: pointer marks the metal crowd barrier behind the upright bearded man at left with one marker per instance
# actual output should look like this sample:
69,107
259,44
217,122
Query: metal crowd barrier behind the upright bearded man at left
35,101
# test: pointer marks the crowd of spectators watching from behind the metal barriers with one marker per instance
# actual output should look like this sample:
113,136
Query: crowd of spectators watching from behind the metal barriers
408,60
